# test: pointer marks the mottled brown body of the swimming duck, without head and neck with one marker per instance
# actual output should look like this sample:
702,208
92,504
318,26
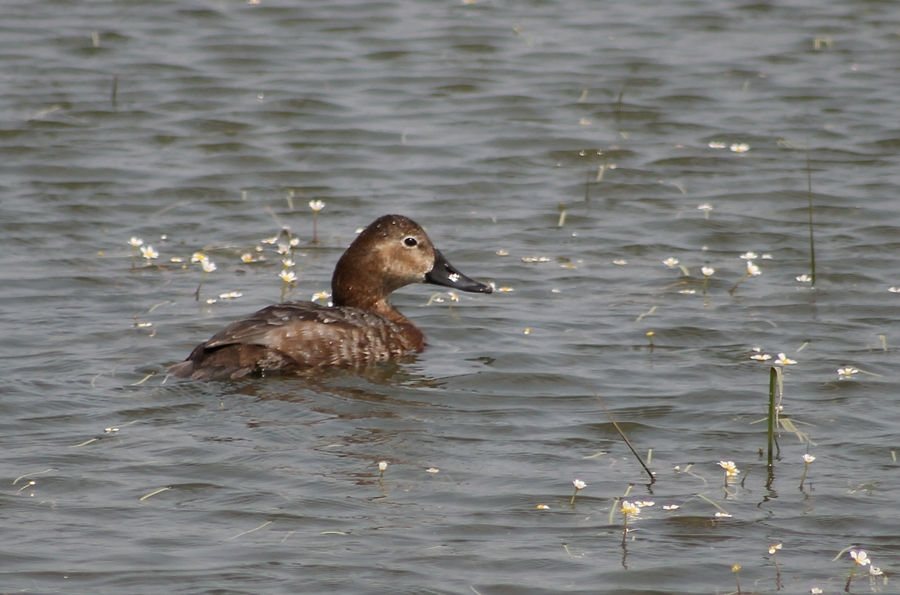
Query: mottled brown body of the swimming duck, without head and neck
299,336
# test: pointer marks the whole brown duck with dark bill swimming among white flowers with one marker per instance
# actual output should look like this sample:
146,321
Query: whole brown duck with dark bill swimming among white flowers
361,327
